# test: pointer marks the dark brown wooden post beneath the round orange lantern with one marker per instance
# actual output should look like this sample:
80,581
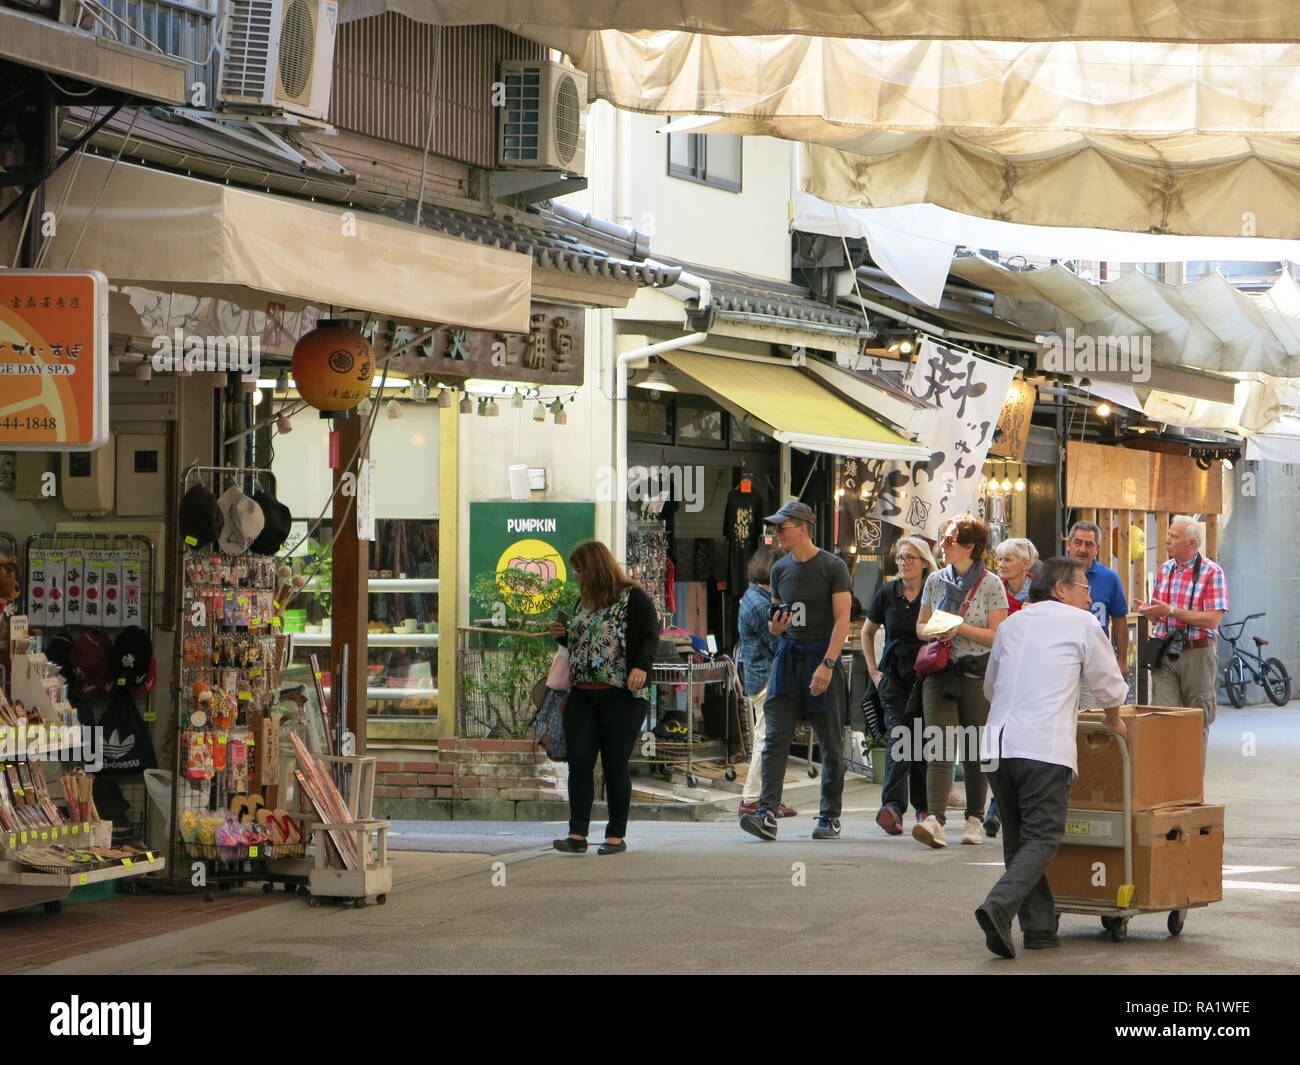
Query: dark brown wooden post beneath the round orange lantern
349,592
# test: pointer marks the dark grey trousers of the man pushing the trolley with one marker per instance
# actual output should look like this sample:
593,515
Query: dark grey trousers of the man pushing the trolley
1033,799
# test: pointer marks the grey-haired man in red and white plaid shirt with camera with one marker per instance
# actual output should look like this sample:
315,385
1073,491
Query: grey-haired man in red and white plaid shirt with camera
1188,681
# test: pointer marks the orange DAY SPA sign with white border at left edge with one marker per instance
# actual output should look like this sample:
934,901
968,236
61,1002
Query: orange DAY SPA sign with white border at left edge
54,361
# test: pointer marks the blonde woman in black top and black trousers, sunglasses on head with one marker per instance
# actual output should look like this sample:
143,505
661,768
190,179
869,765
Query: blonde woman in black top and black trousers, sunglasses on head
898,607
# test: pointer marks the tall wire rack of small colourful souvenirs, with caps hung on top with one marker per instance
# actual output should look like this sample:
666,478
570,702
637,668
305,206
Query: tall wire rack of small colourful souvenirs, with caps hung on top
231,648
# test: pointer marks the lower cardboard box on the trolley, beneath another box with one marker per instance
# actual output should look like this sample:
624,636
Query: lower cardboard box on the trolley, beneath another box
1178,860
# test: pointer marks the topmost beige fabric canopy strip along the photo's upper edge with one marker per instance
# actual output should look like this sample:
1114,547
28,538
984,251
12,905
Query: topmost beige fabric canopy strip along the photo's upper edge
1007,20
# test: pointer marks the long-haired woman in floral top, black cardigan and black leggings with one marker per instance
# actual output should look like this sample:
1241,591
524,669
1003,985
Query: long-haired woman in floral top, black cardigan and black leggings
613,638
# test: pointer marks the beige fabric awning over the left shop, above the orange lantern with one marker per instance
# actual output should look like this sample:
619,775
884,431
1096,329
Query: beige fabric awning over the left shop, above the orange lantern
175,233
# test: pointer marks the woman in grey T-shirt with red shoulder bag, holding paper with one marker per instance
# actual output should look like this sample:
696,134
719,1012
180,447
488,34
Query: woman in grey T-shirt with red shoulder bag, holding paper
954,699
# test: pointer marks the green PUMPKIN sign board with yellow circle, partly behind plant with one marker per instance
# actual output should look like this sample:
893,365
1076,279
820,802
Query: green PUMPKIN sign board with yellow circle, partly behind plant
535,538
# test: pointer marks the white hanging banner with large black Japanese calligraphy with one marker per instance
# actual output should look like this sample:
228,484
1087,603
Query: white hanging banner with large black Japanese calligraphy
970,393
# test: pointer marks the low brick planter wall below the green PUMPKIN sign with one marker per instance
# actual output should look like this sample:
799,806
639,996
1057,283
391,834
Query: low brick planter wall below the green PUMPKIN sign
471,769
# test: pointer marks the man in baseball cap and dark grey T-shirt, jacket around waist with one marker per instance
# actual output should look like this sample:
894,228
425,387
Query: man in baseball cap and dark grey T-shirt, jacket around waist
812,600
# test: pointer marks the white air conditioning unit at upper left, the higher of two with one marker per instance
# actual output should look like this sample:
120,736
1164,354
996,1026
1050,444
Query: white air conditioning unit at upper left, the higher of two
279,55
